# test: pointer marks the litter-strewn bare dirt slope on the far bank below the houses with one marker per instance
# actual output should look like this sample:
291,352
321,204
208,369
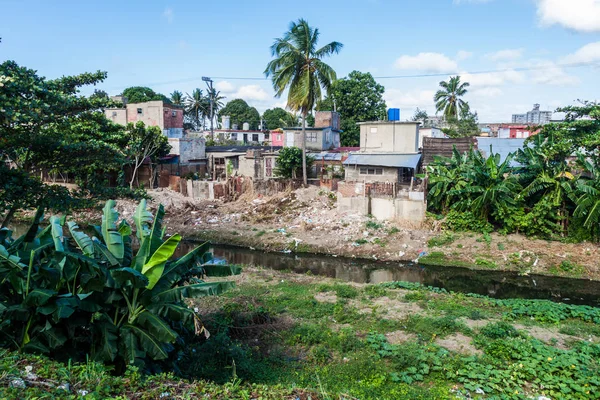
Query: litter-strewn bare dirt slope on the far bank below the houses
307,220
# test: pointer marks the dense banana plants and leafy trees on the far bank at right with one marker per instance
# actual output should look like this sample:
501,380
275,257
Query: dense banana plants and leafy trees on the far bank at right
549,189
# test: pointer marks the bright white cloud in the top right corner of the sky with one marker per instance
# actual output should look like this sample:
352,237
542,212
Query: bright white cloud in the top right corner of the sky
579,15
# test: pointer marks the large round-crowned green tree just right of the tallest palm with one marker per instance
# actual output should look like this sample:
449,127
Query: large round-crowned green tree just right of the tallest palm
358,98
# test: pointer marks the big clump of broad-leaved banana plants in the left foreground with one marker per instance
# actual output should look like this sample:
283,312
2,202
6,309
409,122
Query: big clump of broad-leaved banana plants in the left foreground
74,296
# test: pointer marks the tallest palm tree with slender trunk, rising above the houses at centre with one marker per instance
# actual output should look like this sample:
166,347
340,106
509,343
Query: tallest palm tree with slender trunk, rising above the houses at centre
298,67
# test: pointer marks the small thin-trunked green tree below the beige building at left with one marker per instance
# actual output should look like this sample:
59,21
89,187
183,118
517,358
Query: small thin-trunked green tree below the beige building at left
145,143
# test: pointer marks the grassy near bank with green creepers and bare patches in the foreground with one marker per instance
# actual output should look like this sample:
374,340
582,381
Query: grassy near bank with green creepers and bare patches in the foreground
282,335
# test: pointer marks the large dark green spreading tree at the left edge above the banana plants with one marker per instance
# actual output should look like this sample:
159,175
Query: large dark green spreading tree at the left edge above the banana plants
47,124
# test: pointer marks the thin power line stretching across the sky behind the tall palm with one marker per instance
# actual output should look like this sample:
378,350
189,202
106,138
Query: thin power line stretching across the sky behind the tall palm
490,71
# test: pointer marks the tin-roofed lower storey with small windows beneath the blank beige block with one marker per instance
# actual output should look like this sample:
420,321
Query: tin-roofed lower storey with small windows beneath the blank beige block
393,168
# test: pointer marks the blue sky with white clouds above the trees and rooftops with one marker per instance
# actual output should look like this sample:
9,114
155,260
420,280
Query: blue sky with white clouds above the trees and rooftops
531,51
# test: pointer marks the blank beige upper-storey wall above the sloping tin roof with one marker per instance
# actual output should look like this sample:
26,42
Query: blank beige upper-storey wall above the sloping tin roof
389,137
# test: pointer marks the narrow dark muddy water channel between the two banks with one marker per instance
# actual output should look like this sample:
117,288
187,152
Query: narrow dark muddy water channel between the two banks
498,284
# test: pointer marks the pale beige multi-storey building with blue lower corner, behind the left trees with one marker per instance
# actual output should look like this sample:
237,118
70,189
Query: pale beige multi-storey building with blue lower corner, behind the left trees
167,117
